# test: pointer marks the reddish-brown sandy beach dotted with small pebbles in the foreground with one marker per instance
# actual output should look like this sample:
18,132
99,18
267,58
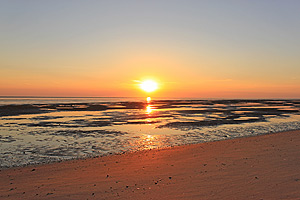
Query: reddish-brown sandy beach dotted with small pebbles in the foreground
261,167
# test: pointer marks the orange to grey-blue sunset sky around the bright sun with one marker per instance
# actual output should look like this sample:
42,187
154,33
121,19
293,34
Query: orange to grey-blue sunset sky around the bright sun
192,48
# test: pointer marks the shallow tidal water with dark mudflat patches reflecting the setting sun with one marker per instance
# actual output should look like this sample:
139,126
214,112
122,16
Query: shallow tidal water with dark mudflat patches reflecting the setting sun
39,130
